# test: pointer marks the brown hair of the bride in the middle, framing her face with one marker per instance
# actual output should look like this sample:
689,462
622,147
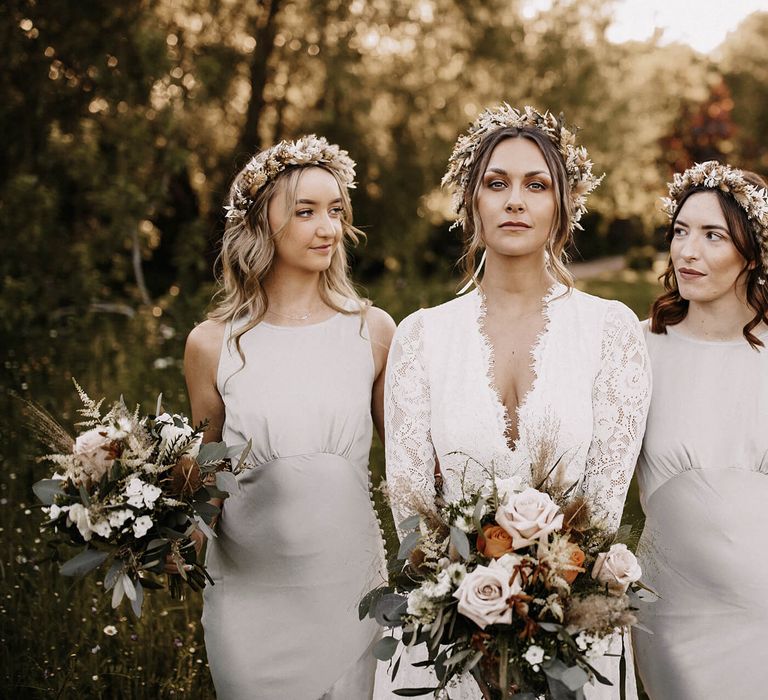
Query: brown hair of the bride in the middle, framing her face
560,235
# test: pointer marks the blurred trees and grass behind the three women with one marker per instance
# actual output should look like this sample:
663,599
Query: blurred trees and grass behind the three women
123,124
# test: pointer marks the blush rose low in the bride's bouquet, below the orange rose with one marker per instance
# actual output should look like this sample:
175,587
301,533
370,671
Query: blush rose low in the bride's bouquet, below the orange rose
483,596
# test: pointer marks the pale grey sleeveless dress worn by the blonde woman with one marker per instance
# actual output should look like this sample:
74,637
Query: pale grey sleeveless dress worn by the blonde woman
299,544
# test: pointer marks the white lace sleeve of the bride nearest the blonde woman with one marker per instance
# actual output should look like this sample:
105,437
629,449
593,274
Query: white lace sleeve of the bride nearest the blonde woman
409,450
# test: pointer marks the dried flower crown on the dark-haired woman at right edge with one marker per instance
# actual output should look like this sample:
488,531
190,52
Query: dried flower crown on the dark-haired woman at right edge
716,176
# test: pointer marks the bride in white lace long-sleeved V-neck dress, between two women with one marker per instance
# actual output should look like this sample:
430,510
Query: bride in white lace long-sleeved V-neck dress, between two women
489,373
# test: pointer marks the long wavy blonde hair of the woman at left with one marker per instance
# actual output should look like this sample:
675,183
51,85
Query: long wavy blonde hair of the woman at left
248,253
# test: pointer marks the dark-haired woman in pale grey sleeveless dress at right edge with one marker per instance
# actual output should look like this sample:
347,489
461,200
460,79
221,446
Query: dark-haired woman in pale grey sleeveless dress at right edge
703,469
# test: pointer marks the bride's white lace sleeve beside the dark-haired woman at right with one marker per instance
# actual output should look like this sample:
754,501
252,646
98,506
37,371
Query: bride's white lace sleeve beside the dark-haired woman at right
620,398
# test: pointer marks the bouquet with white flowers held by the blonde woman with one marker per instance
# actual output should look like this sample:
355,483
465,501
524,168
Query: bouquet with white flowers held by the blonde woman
130,490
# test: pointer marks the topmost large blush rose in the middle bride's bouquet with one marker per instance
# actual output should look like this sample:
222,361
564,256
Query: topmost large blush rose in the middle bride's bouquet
529,517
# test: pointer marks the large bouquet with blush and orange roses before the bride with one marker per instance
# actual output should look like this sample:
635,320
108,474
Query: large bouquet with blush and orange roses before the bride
520,587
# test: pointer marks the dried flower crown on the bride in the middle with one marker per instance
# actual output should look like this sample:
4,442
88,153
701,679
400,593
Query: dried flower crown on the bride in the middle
578,166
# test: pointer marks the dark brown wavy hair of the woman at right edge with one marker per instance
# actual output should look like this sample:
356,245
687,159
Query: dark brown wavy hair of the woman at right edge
670,308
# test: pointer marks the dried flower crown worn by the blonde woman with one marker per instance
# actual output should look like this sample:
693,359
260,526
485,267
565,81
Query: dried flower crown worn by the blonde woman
267,165
